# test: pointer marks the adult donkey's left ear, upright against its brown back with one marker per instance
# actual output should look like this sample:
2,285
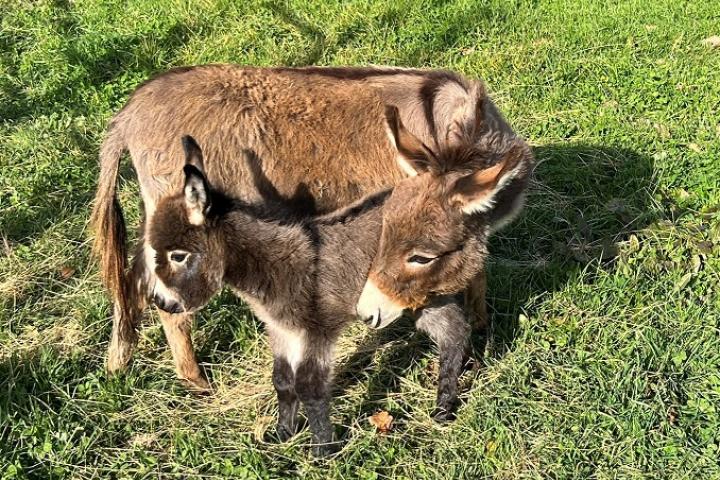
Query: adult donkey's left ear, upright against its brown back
413,156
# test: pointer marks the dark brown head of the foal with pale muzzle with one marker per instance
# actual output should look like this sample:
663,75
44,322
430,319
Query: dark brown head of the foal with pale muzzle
183,251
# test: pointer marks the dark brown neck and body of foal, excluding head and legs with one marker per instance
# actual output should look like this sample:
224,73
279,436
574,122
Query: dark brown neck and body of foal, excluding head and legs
321,262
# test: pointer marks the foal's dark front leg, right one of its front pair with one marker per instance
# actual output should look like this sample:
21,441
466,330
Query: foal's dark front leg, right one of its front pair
312,384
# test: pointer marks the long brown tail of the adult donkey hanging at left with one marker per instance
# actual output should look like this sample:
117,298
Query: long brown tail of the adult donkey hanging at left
107,222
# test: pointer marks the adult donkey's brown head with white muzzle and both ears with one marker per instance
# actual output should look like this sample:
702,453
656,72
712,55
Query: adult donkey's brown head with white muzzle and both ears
436,222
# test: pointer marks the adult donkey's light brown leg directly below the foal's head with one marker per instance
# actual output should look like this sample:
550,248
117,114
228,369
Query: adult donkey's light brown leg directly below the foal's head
177,329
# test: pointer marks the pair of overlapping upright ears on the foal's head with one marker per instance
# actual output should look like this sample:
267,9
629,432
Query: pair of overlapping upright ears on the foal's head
197,189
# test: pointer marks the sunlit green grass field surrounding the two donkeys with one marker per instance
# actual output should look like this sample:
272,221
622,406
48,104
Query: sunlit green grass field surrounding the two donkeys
604,358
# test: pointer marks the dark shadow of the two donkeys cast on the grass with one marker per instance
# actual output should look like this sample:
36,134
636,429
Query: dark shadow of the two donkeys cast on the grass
583,200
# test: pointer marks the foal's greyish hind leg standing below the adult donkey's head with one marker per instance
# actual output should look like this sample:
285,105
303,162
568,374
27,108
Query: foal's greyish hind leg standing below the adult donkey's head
444,321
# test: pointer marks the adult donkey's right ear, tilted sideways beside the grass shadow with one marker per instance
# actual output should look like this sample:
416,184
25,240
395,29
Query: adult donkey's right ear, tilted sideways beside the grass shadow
477,192
